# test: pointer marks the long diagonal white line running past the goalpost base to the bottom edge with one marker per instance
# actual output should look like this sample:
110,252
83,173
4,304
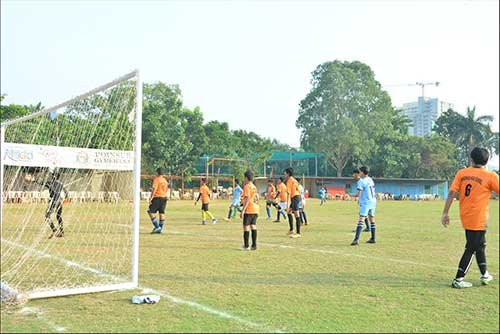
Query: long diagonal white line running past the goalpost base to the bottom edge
172,298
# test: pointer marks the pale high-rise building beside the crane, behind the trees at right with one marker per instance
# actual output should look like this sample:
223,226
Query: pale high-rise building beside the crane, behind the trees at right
424,114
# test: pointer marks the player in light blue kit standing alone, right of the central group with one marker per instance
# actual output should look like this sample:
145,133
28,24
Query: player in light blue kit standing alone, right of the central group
367,204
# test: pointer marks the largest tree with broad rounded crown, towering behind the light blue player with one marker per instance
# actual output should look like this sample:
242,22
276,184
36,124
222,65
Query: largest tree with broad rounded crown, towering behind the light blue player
345,113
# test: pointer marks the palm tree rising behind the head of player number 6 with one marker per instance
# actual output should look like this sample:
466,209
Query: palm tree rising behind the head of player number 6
467,132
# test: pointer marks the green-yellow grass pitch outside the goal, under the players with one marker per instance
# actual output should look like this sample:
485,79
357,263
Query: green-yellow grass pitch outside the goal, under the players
315,284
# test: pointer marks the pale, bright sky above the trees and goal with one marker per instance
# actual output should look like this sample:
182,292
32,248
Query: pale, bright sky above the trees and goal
249,62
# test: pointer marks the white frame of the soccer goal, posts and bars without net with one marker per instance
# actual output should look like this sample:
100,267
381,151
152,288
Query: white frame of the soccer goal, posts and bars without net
134,279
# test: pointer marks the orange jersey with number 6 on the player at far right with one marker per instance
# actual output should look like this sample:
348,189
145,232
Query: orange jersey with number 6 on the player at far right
474,186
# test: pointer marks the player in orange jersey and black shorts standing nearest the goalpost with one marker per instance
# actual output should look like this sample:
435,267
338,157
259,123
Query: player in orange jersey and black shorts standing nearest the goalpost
158,201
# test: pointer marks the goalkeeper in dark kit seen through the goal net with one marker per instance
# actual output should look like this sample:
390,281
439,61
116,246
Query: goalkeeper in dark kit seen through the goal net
56,188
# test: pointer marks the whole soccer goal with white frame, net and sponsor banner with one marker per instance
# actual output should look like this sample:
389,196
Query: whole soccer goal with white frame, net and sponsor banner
70,195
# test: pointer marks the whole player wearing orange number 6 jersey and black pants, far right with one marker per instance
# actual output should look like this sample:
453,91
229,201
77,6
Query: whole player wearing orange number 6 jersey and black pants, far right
473,187
